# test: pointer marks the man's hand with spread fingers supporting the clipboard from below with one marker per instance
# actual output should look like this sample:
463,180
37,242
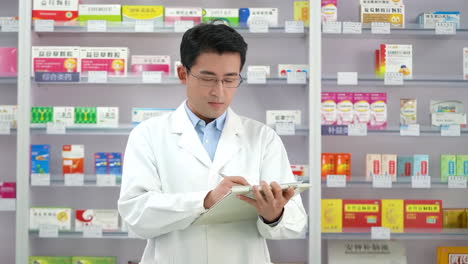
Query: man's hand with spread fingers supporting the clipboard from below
269,202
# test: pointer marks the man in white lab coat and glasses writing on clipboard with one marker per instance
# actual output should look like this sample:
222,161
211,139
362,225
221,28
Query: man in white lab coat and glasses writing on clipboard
179,165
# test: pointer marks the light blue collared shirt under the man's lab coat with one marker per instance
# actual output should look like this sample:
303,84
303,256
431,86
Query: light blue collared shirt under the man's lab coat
210,133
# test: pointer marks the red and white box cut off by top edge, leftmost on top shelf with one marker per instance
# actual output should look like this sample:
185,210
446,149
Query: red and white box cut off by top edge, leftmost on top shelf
63,11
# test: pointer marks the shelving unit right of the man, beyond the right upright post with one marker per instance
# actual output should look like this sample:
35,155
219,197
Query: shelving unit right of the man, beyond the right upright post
437,62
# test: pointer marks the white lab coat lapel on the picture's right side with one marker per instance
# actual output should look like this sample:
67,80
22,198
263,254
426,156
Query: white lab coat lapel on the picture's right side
230,141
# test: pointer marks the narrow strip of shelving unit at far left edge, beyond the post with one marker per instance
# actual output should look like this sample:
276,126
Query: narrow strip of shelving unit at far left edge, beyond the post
8,96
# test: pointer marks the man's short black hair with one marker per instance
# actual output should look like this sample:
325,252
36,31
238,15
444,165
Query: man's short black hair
217,38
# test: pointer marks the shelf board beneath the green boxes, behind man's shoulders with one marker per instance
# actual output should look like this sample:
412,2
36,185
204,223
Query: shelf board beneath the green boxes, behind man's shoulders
121,130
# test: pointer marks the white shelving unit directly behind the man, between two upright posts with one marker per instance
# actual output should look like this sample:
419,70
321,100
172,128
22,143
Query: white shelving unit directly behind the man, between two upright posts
252,101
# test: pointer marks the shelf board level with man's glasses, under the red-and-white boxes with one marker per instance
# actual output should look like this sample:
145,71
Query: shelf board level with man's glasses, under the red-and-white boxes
138,80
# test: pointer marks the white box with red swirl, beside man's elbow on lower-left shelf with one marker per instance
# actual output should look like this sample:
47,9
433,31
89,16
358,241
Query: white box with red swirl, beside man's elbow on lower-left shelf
108,220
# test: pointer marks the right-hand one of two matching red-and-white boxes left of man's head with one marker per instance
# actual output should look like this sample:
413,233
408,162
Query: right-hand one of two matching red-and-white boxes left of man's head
110,59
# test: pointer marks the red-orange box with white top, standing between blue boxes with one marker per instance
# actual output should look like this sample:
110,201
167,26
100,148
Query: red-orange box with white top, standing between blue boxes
73,159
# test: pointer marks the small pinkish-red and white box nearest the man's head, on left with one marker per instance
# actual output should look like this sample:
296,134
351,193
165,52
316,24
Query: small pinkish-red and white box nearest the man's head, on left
151,63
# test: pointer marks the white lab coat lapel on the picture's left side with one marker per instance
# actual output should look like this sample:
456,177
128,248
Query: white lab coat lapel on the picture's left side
189,140
